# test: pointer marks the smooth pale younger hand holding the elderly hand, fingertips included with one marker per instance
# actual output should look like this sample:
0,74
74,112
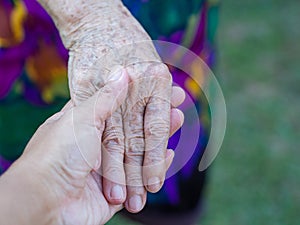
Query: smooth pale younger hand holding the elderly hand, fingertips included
53,182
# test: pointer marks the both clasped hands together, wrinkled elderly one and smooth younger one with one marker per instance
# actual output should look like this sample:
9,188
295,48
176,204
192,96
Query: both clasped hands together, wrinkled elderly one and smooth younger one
107,147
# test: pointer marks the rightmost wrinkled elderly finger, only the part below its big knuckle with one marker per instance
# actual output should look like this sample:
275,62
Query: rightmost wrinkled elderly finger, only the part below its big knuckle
157,130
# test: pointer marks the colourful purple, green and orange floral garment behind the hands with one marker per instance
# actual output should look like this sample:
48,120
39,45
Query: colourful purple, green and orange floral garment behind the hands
33,69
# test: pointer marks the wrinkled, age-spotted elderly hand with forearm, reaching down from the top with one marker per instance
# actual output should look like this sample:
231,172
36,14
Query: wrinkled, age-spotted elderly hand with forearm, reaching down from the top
101,36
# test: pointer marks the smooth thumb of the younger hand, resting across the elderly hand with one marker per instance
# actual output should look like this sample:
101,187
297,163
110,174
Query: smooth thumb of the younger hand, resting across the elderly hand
89,117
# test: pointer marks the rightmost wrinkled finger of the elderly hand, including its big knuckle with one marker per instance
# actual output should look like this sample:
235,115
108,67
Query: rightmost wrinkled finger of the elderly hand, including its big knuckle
157,130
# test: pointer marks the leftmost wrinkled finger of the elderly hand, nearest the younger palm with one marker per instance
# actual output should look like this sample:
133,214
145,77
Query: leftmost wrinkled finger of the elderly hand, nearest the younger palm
114,187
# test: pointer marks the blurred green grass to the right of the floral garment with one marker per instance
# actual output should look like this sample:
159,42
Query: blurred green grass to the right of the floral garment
255,179
